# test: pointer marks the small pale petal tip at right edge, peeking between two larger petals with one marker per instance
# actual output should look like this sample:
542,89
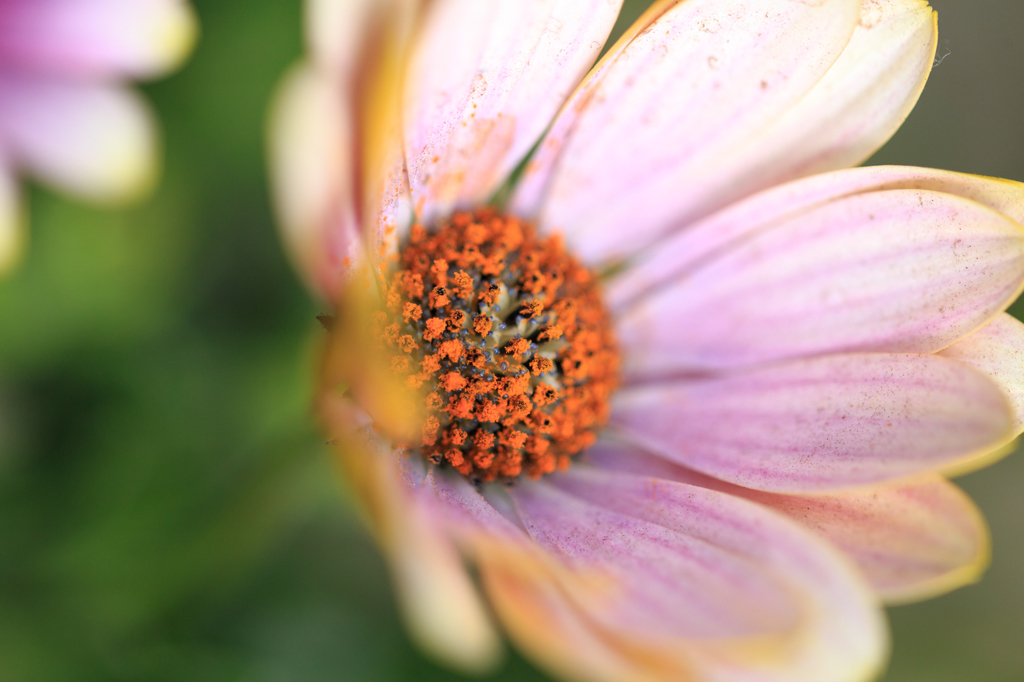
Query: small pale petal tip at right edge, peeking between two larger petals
998,350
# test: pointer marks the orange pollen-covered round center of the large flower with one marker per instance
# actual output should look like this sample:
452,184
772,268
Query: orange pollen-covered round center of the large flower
507,336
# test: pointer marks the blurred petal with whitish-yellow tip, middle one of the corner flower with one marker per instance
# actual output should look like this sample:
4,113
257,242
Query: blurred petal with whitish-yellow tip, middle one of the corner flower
98,142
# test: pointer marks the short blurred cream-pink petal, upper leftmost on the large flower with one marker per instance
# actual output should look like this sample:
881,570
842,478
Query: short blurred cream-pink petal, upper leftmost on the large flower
311,151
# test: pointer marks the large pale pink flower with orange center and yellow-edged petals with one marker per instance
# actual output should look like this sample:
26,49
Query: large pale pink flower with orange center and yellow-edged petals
799,354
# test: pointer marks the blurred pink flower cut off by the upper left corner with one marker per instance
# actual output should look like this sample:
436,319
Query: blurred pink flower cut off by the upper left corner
66,118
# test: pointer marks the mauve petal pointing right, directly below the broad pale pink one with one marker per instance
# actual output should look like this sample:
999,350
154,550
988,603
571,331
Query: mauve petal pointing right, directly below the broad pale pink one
821,424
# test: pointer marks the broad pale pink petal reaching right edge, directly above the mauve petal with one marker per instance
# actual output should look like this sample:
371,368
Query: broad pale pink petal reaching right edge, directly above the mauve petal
902,271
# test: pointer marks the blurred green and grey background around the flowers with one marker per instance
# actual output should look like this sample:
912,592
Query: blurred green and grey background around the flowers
168,510
